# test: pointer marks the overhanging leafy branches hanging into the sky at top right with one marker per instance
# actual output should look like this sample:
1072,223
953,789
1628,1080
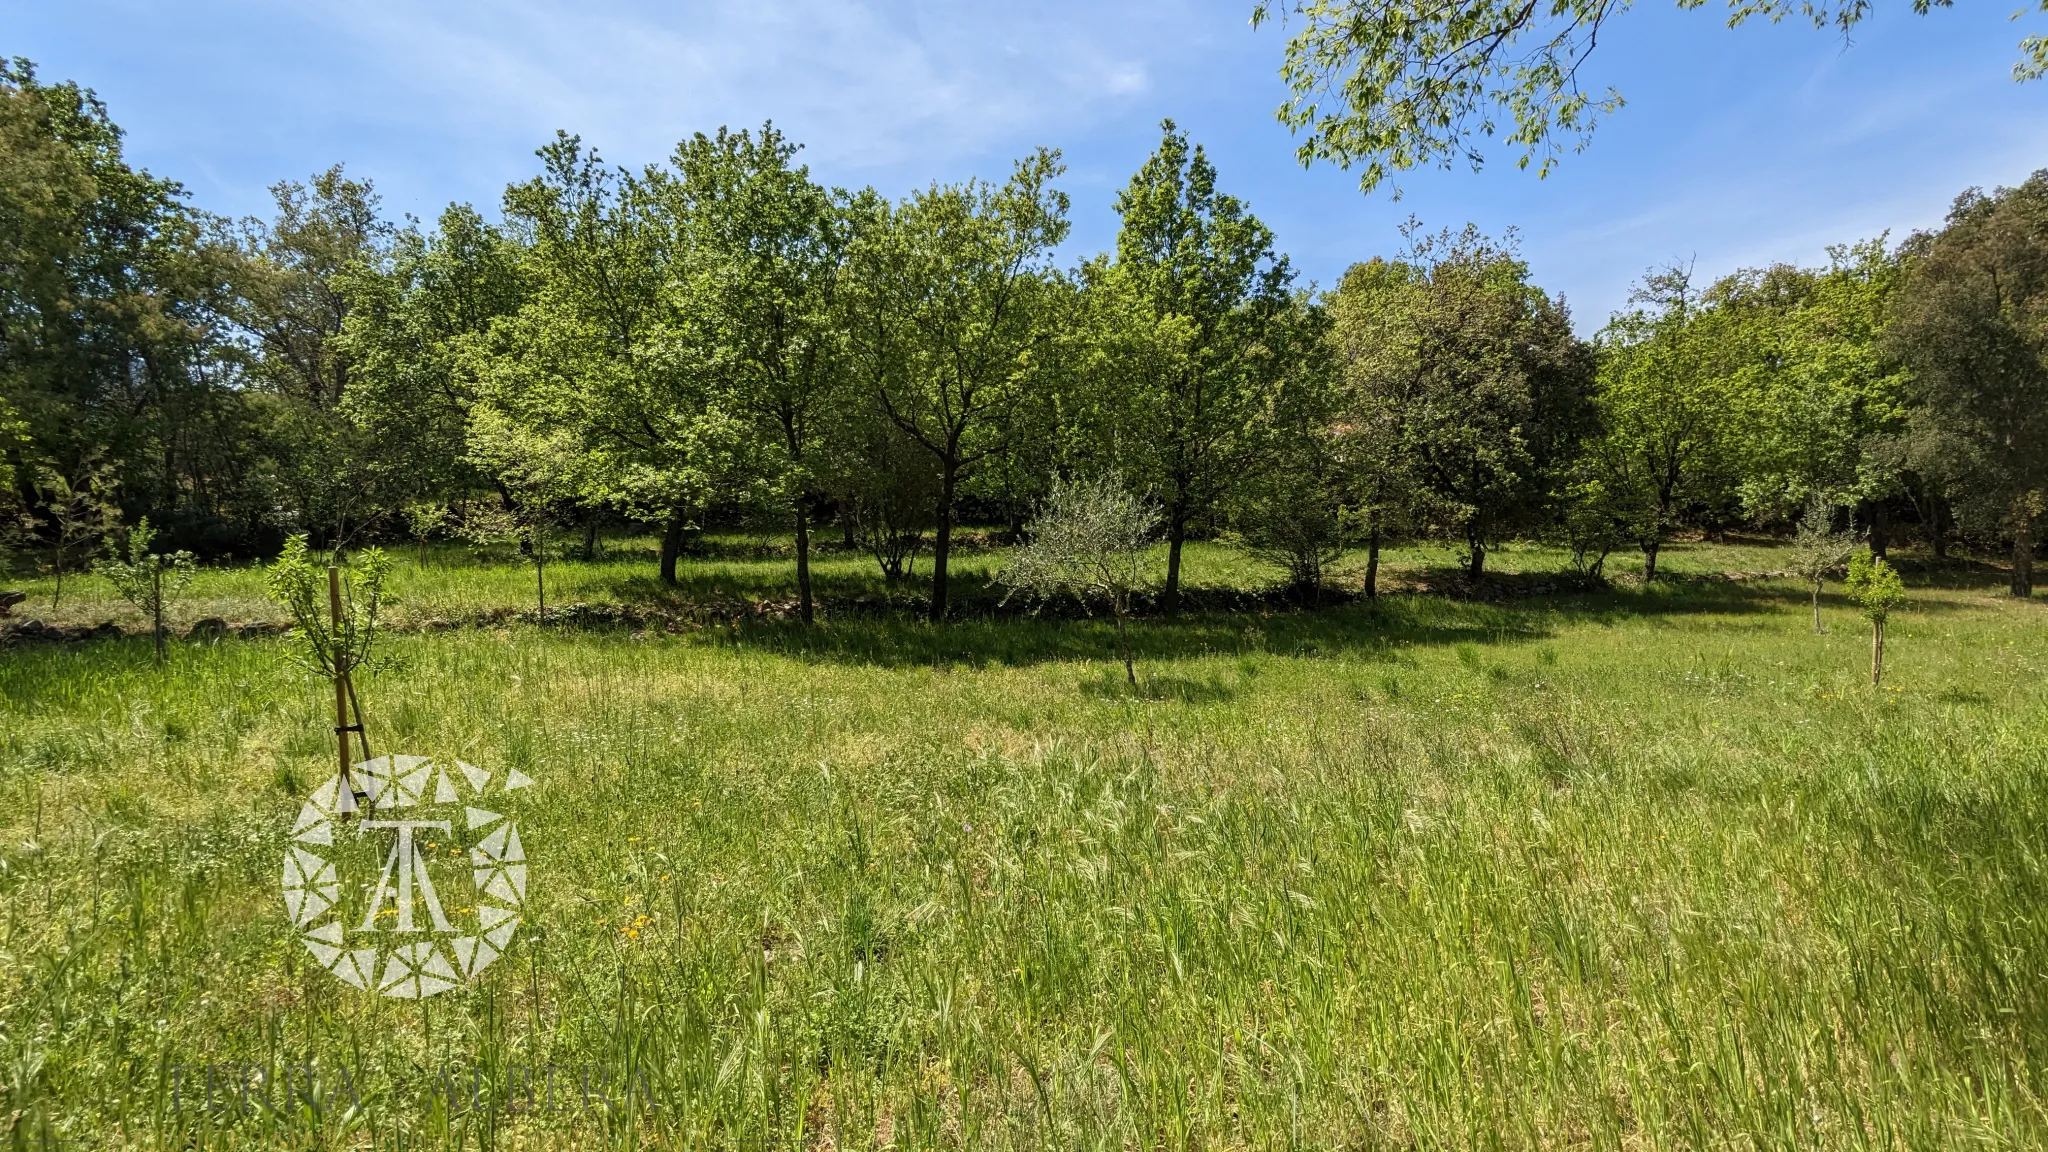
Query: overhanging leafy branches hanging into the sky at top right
1394,85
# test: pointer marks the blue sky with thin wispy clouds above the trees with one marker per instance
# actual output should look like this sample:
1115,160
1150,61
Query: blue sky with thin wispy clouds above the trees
1736,149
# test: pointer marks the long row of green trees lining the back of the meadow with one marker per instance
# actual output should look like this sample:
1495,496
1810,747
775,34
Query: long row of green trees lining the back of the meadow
720,339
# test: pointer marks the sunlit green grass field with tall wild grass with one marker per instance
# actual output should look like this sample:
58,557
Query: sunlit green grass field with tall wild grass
1652,868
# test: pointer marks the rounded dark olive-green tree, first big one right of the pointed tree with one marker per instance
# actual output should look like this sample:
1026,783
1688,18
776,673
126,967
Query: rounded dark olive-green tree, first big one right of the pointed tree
1480,374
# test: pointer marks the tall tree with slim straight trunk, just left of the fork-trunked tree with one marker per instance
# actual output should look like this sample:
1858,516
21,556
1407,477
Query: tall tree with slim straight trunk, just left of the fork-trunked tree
763,255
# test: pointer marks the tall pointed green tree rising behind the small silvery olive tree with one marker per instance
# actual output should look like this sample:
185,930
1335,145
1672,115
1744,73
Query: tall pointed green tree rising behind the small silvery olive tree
1197,284
